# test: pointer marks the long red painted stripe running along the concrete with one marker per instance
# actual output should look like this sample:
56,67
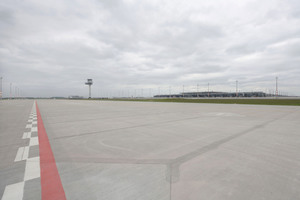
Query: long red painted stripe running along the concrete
50,181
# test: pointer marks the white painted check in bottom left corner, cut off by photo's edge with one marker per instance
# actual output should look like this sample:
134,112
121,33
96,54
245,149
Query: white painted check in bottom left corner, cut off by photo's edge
14,191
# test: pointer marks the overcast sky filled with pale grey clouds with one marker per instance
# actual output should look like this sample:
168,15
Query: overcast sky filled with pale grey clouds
146,47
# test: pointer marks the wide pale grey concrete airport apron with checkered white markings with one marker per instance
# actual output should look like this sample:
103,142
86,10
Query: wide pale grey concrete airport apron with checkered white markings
145,150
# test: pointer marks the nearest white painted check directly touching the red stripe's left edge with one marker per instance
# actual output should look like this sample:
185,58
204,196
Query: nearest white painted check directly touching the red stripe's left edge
32,169
